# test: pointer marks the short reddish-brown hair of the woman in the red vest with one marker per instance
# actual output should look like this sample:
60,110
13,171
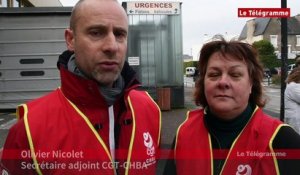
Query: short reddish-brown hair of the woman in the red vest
241,51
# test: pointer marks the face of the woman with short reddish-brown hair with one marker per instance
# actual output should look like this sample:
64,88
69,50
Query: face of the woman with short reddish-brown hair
227,86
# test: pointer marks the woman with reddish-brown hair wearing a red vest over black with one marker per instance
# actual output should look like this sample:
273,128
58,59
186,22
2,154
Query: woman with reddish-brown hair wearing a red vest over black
230,134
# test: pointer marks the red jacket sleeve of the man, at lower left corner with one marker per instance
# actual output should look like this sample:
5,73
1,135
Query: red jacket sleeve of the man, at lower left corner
14,160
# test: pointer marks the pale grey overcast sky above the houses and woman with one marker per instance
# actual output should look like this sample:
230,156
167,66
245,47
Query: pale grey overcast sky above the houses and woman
205,18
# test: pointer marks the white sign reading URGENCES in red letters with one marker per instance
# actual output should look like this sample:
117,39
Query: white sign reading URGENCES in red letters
156,8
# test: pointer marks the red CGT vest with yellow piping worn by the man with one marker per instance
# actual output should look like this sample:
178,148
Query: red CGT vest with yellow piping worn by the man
63,141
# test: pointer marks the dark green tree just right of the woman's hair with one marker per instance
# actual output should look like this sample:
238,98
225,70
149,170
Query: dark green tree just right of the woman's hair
267,54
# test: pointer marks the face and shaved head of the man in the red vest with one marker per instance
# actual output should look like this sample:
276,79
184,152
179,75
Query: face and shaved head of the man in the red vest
99,40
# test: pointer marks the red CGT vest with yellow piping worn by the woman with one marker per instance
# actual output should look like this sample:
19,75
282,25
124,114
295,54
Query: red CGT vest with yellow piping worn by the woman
251,152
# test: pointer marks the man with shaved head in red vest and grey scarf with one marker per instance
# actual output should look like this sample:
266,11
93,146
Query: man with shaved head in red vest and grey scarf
96,122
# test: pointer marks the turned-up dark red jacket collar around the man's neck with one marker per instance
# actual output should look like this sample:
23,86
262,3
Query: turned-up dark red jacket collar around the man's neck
84,91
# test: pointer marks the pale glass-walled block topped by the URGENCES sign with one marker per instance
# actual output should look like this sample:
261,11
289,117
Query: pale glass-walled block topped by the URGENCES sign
155,46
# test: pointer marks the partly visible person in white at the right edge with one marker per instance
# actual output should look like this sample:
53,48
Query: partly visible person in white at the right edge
292,99
